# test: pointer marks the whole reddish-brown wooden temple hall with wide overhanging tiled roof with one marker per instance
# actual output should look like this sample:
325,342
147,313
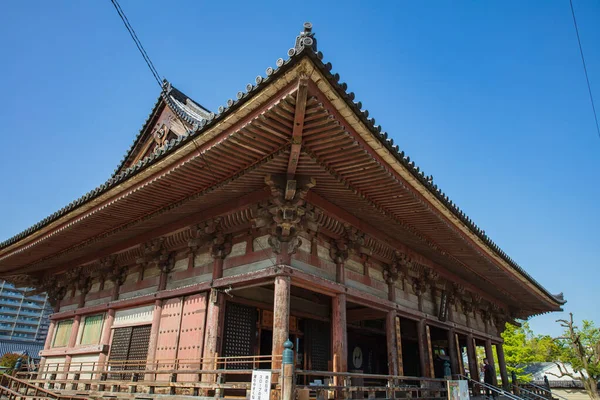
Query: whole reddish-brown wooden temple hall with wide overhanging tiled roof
288,213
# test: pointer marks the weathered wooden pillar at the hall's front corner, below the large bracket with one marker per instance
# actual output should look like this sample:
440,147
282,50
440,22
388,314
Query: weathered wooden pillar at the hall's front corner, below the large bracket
281,317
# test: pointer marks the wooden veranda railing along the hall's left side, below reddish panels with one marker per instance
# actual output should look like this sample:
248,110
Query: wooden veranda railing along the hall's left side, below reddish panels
209,376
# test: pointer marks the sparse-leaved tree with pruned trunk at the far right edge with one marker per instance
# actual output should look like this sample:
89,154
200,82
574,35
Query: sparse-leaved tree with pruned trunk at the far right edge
579,347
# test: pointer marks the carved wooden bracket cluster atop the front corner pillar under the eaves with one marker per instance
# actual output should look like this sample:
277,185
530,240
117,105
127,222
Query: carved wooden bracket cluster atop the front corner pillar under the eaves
287,212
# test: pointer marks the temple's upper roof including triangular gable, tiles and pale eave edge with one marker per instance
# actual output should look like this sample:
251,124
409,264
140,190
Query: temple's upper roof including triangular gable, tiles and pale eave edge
152,146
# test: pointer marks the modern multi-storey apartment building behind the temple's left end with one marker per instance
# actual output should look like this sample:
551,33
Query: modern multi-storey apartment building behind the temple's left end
23,320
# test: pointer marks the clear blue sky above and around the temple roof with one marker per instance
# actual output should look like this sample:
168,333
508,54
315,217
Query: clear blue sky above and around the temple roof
488,97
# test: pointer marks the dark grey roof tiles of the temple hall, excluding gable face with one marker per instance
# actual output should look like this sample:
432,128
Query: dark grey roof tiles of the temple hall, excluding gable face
305,46
